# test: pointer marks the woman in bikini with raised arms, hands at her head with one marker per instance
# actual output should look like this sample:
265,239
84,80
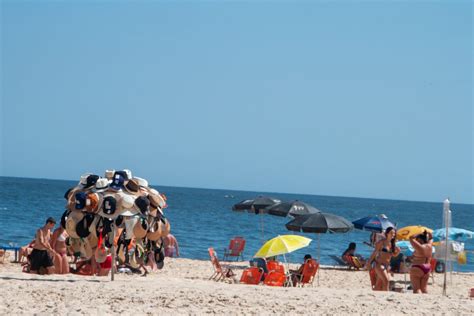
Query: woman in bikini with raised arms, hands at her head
421,267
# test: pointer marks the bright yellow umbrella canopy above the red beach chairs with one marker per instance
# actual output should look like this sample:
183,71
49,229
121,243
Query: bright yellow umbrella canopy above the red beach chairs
281,245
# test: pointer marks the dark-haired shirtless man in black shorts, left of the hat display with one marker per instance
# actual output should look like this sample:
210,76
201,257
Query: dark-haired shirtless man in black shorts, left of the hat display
42,253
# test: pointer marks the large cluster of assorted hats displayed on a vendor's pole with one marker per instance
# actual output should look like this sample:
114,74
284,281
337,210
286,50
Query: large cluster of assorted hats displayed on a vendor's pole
120,205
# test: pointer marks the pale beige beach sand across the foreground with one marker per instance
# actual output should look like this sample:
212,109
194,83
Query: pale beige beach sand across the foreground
183,287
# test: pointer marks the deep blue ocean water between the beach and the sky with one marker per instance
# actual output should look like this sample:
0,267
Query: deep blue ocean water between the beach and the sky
202,218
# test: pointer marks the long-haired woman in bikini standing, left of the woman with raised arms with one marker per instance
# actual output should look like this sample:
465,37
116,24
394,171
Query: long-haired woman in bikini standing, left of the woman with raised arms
385,249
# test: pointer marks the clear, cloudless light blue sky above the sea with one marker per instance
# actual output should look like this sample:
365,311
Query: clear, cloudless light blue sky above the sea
367,99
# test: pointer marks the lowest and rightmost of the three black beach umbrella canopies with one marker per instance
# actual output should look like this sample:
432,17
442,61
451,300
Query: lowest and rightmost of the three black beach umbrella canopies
320,223
